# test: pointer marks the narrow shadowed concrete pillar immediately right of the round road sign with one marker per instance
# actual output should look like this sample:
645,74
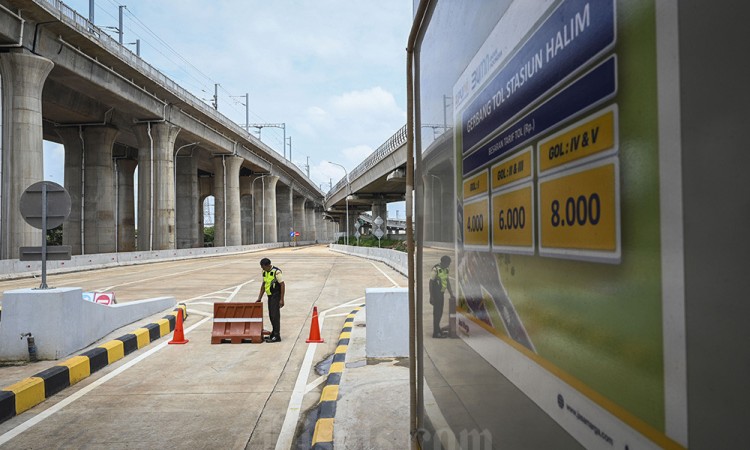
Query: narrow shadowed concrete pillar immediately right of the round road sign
72,139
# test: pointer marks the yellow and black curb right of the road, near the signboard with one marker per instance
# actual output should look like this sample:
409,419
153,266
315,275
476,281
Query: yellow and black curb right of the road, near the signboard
323,434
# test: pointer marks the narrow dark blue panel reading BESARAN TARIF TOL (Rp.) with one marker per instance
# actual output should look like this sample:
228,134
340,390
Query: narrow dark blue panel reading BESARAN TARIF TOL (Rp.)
589,90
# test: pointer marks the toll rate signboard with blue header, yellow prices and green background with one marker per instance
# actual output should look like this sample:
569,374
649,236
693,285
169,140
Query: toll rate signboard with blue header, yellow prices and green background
559,249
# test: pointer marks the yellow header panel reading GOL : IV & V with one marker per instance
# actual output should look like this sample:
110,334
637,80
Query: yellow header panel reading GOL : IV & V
594,135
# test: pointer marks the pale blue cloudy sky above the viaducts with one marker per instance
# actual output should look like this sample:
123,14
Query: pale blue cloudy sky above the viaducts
332,71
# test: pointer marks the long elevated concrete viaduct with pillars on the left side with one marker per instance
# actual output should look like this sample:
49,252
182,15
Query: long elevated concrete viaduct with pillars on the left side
66,81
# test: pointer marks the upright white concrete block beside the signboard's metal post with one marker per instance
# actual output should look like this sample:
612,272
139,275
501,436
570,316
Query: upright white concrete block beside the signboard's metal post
387,322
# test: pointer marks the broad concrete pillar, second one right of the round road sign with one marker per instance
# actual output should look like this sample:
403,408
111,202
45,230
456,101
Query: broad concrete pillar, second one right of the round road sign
98,187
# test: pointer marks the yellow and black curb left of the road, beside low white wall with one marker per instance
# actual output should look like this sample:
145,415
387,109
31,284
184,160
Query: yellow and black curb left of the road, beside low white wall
25,394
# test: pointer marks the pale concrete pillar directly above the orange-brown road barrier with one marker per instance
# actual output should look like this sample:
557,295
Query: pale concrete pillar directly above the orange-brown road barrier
227,214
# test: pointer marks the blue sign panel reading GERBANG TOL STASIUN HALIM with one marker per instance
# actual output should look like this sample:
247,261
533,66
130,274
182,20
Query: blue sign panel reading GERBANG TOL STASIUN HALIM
575,33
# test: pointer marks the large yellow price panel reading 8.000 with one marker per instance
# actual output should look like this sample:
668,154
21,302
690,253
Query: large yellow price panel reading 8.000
579,213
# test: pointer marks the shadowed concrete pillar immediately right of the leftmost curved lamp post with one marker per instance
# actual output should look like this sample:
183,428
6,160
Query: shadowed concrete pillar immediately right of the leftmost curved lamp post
187,203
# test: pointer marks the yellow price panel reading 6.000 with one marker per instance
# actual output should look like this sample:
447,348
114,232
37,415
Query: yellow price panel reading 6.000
513,220
